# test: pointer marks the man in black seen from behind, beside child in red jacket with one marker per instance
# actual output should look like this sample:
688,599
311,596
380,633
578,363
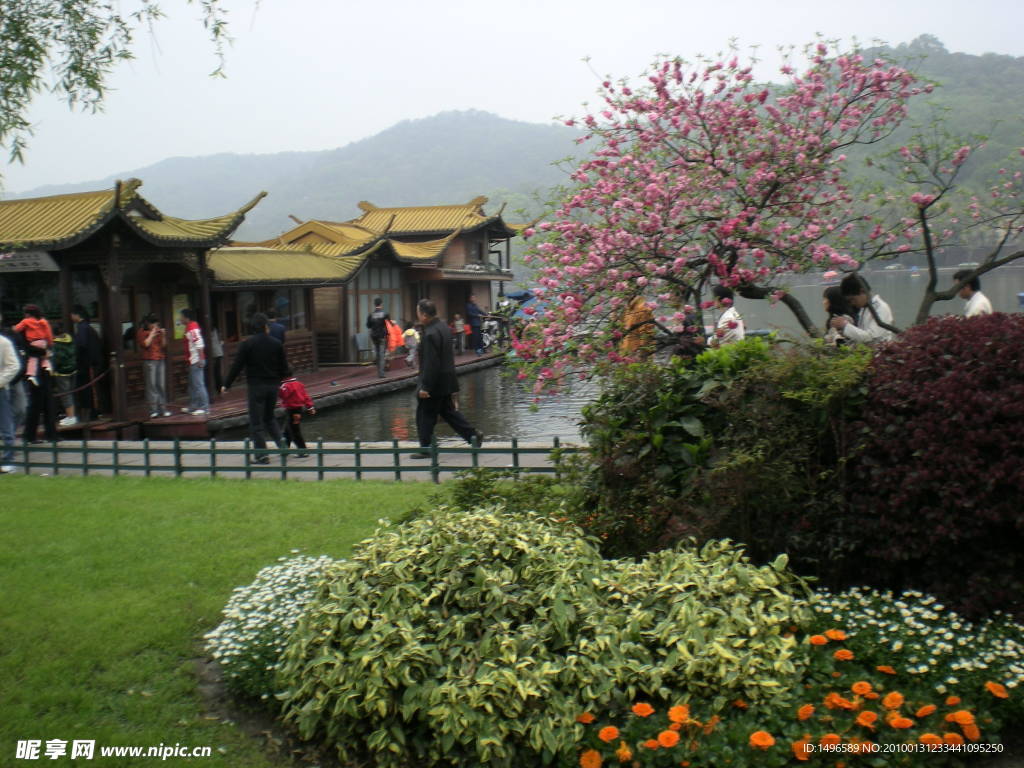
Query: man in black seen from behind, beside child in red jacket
266,366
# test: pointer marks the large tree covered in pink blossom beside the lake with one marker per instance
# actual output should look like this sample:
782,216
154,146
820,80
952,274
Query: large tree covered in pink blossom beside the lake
701,176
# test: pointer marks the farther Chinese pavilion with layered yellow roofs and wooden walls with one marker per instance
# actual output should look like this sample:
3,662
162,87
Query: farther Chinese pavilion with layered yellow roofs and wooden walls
445,253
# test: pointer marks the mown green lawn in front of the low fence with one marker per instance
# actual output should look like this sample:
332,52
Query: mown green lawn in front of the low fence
109,585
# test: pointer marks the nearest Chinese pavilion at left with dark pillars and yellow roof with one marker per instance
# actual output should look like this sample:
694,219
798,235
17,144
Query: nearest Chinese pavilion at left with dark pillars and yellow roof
116,254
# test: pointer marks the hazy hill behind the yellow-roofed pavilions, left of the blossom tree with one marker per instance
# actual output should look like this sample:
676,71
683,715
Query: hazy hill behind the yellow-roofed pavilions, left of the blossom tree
450,158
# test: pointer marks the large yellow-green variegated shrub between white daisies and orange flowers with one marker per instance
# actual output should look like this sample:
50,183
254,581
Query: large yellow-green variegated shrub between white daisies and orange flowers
476,638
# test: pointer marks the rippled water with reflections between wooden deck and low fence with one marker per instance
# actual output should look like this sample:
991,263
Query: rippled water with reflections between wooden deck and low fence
493,401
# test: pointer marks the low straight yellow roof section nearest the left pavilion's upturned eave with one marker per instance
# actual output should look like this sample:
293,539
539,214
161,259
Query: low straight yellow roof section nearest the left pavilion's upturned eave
254,266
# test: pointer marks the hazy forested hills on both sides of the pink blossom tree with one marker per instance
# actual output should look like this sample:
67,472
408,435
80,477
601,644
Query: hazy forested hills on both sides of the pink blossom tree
456,156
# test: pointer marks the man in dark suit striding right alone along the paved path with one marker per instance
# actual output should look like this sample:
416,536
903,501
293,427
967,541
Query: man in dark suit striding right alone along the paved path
439,385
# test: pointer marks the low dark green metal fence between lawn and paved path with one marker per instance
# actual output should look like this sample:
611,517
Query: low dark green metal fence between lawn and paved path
184,458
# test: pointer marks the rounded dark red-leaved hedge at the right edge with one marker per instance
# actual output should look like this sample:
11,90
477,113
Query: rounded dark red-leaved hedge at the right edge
941,483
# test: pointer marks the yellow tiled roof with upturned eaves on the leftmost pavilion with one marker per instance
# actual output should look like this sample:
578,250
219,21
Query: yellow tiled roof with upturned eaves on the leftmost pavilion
62,221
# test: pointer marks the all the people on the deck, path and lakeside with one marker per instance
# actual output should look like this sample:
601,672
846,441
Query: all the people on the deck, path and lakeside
50,374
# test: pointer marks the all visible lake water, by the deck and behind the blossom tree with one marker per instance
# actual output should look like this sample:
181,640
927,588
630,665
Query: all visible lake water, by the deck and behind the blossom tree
503,409
